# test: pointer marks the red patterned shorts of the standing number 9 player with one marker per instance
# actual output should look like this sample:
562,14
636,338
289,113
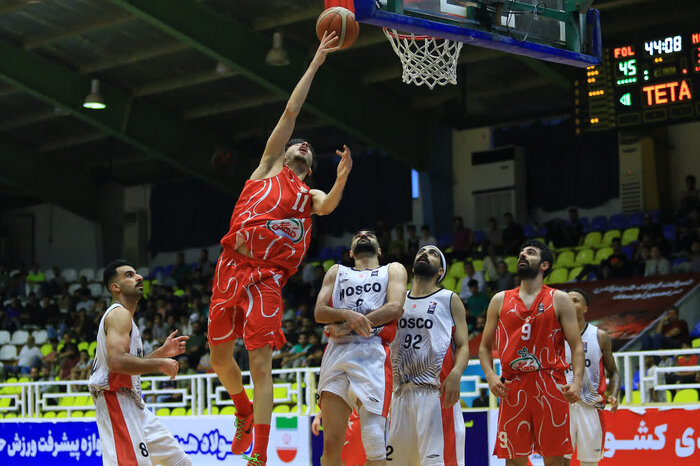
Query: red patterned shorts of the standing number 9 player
534,417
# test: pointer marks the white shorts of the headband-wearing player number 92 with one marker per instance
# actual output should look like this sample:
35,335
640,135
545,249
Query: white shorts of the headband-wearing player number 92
418,435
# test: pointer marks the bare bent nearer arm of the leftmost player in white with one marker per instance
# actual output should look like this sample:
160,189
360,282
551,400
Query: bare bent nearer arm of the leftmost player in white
118,330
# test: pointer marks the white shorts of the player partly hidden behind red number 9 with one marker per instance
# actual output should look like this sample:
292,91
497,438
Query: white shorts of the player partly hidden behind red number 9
587,428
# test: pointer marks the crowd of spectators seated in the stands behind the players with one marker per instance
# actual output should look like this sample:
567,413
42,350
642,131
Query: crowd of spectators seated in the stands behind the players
177,297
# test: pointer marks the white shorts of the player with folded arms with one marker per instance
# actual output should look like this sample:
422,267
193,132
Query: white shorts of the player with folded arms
359,373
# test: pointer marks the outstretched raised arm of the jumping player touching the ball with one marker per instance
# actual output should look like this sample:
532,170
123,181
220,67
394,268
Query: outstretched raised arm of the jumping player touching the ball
273,157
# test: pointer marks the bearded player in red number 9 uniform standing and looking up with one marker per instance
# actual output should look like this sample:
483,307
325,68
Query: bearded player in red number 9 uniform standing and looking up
530,324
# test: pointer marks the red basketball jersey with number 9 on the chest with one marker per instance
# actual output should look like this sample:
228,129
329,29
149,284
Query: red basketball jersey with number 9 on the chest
529,339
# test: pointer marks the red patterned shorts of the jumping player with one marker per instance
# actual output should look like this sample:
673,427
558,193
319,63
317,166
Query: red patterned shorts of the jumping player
246,302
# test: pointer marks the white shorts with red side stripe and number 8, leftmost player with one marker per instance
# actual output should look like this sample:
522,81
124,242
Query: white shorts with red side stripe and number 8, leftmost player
132,436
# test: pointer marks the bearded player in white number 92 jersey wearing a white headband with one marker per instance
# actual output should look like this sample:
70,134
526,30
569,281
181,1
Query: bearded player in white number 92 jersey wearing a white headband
428,356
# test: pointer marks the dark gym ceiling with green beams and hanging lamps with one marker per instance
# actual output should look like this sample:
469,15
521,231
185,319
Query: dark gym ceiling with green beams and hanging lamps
185,79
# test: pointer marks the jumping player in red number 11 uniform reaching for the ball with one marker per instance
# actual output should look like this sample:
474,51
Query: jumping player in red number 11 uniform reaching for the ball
268,238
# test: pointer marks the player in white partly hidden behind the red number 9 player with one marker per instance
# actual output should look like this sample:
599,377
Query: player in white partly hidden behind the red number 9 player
587,414
